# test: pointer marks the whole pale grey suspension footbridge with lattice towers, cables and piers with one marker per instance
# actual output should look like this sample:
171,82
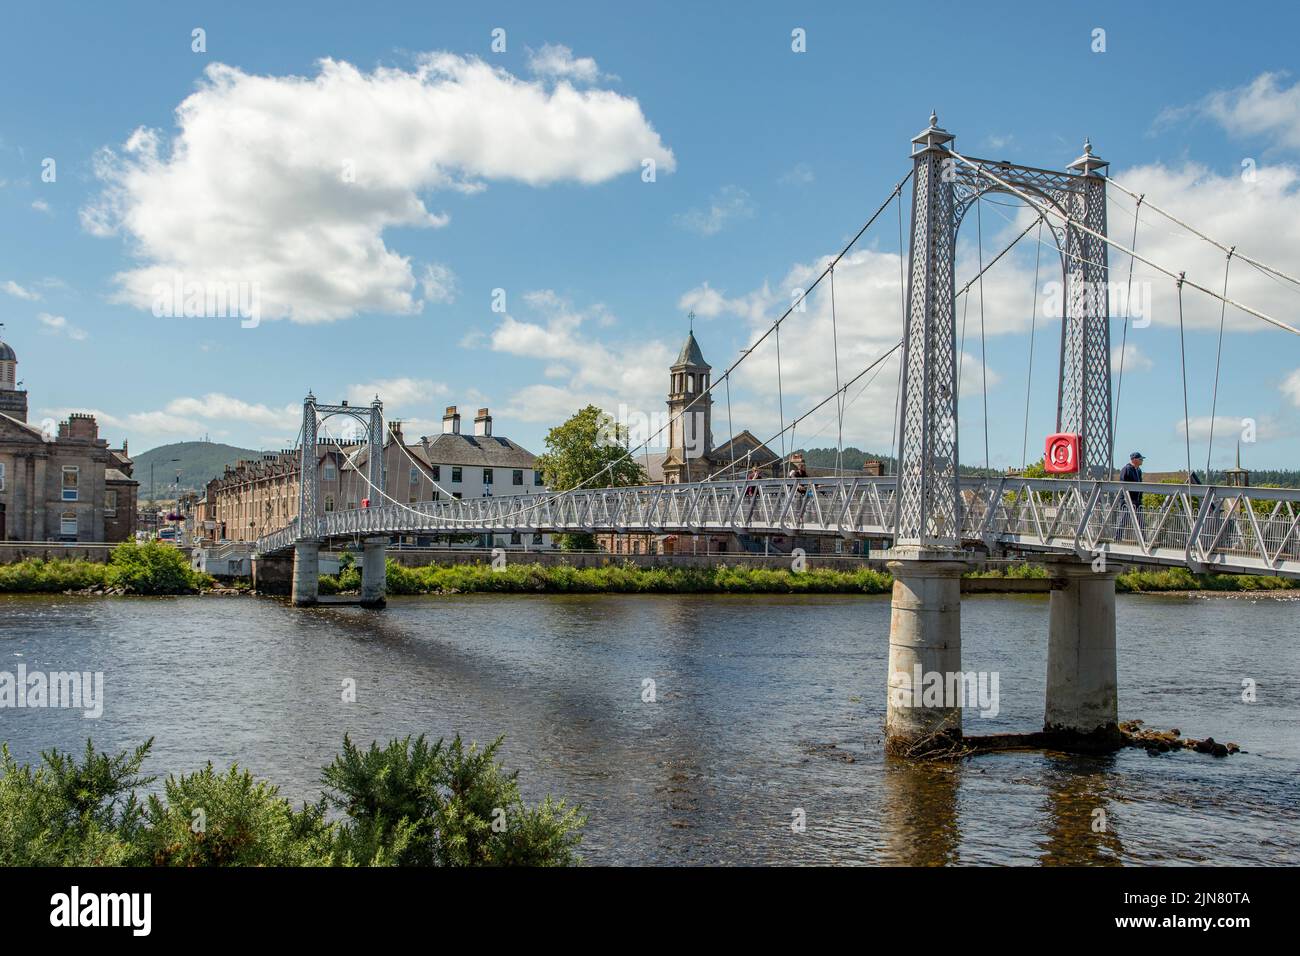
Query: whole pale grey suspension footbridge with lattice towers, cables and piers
1082,525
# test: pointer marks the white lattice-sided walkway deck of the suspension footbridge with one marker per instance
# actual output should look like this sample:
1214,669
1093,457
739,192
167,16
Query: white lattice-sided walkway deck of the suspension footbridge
1202,527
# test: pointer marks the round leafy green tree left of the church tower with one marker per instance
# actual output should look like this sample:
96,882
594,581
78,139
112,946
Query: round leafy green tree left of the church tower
590,451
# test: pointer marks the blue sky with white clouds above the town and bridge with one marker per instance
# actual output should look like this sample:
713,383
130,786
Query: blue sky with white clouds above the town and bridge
768,161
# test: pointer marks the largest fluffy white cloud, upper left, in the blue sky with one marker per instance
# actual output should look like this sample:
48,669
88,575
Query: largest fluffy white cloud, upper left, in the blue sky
288,184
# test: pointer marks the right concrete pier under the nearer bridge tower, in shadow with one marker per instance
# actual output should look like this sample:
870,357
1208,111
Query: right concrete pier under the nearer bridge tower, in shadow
1082,698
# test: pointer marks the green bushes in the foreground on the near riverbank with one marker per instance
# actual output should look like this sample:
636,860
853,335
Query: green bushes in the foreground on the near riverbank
406,804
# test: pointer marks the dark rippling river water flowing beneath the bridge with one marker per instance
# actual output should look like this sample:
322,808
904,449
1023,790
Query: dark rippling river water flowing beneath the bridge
765,706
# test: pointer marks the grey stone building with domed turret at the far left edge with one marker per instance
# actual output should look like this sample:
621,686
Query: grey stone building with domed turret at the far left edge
68,487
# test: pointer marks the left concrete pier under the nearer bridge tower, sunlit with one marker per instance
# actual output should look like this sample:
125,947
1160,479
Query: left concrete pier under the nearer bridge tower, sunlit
925,655
